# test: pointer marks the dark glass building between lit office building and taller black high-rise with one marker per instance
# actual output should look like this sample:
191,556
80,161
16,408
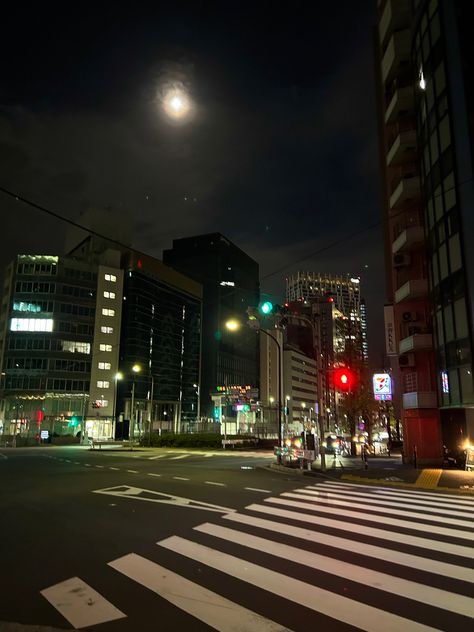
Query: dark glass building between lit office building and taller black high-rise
161,333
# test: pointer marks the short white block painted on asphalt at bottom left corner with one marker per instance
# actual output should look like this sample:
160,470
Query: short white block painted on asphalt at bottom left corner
80,604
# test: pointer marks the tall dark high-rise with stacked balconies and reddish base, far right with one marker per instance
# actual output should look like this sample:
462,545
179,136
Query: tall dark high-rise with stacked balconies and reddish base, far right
424,61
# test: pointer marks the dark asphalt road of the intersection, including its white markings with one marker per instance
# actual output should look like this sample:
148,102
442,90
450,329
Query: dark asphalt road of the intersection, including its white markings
196,540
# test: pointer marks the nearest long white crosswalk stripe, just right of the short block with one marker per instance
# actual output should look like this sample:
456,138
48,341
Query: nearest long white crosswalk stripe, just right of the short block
217,612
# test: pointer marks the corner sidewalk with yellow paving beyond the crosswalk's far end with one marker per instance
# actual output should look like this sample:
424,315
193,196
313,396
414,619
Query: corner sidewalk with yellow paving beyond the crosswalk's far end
387,471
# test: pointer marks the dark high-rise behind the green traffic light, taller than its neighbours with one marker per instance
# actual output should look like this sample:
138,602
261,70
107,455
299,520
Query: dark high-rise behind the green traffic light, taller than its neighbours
230,284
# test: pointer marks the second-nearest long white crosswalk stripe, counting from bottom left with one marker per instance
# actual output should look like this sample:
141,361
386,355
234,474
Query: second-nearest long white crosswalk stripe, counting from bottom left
341,608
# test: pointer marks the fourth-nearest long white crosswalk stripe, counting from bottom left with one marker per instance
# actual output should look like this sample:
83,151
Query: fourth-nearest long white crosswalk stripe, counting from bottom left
369,550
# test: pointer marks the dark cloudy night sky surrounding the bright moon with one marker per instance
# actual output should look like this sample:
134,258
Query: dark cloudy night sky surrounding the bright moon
279,154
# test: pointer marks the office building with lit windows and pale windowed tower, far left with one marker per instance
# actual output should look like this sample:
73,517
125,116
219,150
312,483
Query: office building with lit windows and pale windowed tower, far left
51,343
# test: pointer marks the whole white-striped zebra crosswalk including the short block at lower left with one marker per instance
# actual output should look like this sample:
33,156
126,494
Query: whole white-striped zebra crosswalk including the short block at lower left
337,555
